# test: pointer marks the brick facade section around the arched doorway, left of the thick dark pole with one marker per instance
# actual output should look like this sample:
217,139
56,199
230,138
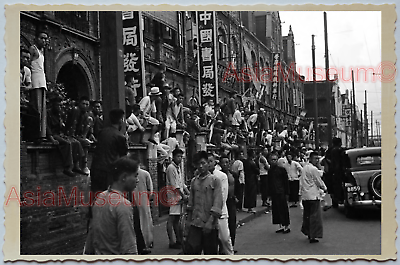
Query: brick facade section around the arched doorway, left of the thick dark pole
73,49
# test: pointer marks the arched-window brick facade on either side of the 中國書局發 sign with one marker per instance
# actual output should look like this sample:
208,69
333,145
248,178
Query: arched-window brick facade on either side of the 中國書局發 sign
245,40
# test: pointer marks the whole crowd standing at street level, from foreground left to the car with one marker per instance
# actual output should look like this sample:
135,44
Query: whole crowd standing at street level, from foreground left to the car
222,184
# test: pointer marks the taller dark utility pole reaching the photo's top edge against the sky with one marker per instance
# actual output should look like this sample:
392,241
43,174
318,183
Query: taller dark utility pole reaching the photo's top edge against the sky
328,82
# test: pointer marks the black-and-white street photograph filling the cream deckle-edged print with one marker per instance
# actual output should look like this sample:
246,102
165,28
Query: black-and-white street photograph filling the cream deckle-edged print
223,133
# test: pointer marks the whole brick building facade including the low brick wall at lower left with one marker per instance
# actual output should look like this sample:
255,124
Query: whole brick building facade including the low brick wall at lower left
245,39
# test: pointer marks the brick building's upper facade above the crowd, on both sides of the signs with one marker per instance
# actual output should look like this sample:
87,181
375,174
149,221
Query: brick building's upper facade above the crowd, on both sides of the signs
245,39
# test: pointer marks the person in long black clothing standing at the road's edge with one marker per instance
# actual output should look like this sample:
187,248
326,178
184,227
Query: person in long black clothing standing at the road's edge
278,189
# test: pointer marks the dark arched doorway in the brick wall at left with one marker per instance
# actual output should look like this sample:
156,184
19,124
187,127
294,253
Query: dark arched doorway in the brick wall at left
74,80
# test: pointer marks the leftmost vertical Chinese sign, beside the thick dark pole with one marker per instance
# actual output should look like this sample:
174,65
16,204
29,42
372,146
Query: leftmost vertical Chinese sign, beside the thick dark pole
133,50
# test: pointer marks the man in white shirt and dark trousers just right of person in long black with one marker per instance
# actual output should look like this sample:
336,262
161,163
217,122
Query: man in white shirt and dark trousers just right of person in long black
294,170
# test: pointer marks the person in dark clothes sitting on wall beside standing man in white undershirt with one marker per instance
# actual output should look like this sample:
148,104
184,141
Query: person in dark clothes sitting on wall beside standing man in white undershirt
70,148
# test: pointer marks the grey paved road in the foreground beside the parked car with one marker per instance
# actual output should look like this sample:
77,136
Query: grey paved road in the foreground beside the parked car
342,236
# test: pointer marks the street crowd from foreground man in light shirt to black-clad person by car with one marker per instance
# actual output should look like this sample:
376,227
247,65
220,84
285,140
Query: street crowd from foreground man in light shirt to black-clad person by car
285,178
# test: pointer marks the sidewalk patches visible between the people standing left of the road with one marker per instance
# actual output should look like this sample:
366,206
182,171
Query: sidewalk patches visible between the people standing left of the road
161,237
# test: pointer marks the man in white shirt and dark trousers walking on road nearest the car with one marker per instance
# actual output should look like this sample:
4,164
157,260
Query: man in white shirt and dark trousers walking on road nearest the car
311,188
